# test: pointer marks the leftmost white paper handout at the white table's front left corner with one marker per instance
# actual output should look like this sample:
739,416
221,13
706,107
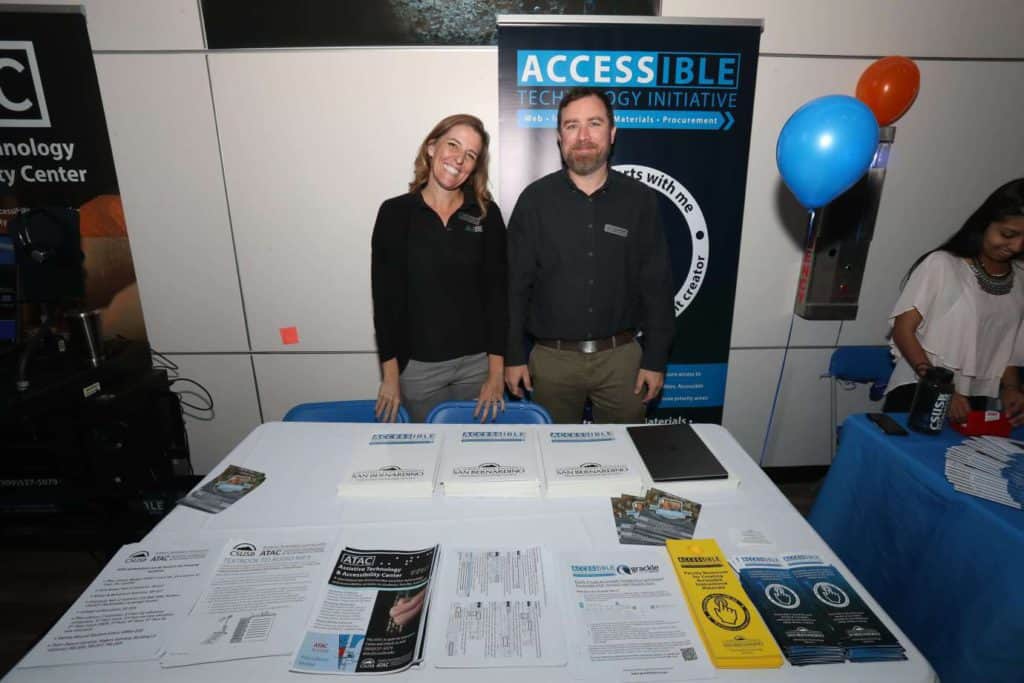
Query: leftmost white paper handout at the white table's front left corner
127,613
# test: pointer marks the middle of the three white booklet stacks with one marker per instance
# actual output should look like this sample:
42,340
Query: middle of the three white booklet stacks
491,462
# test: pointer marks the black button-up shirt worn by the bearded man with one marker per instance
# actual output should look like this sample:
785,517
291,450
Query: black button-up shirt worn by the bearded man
587,268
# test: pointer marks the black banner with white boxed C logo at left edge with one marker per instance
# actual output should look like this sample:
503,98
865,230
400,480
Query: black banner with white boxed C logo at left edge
56,155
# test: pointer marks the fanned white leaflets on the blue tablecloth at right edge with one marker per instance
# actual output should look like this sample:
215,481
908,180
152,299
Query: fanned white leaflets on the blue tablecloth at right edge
989,467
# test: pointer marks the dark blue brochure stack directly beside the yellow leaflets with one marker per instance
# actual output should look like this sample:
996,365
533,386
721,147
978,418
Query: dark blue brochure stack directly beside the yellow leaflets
799,626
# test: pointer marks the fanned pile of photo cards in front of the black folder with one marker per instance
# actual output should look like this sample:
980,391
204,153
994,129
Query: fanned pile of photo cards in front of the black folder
653,520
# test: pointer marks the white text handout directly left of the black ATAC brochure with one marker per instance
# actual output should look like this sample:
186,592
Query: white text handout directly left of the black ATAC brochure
258,599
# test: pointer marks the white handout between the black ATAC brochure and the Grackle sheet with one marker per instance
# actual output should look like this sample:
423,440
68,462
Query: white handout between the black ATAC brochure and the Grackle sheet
494,609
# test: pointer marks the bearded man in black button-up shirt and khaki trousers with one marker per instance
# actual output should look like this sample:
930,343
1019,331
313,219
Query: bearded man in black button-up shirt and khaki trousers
588,273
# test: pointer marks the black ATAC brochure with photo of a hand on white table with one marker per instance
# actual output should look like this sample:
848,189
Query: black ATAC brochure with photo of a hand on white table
371,615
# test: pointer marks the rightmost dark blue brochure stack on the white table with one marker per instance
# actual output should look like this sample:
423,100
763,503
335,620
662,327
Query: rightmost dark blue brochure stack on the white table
859,630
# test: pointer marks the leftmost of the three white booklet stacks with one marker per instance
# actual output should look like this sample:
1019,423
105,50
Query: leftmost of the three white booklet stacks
399,462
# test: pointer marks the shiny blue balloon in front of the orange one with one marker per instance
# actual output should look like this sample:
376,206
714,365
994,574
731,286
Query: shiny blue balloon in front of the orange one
826,147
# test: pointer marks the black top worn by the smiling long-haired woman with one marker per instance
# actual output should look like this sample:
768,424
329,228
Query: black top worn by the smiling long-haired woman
440,291
